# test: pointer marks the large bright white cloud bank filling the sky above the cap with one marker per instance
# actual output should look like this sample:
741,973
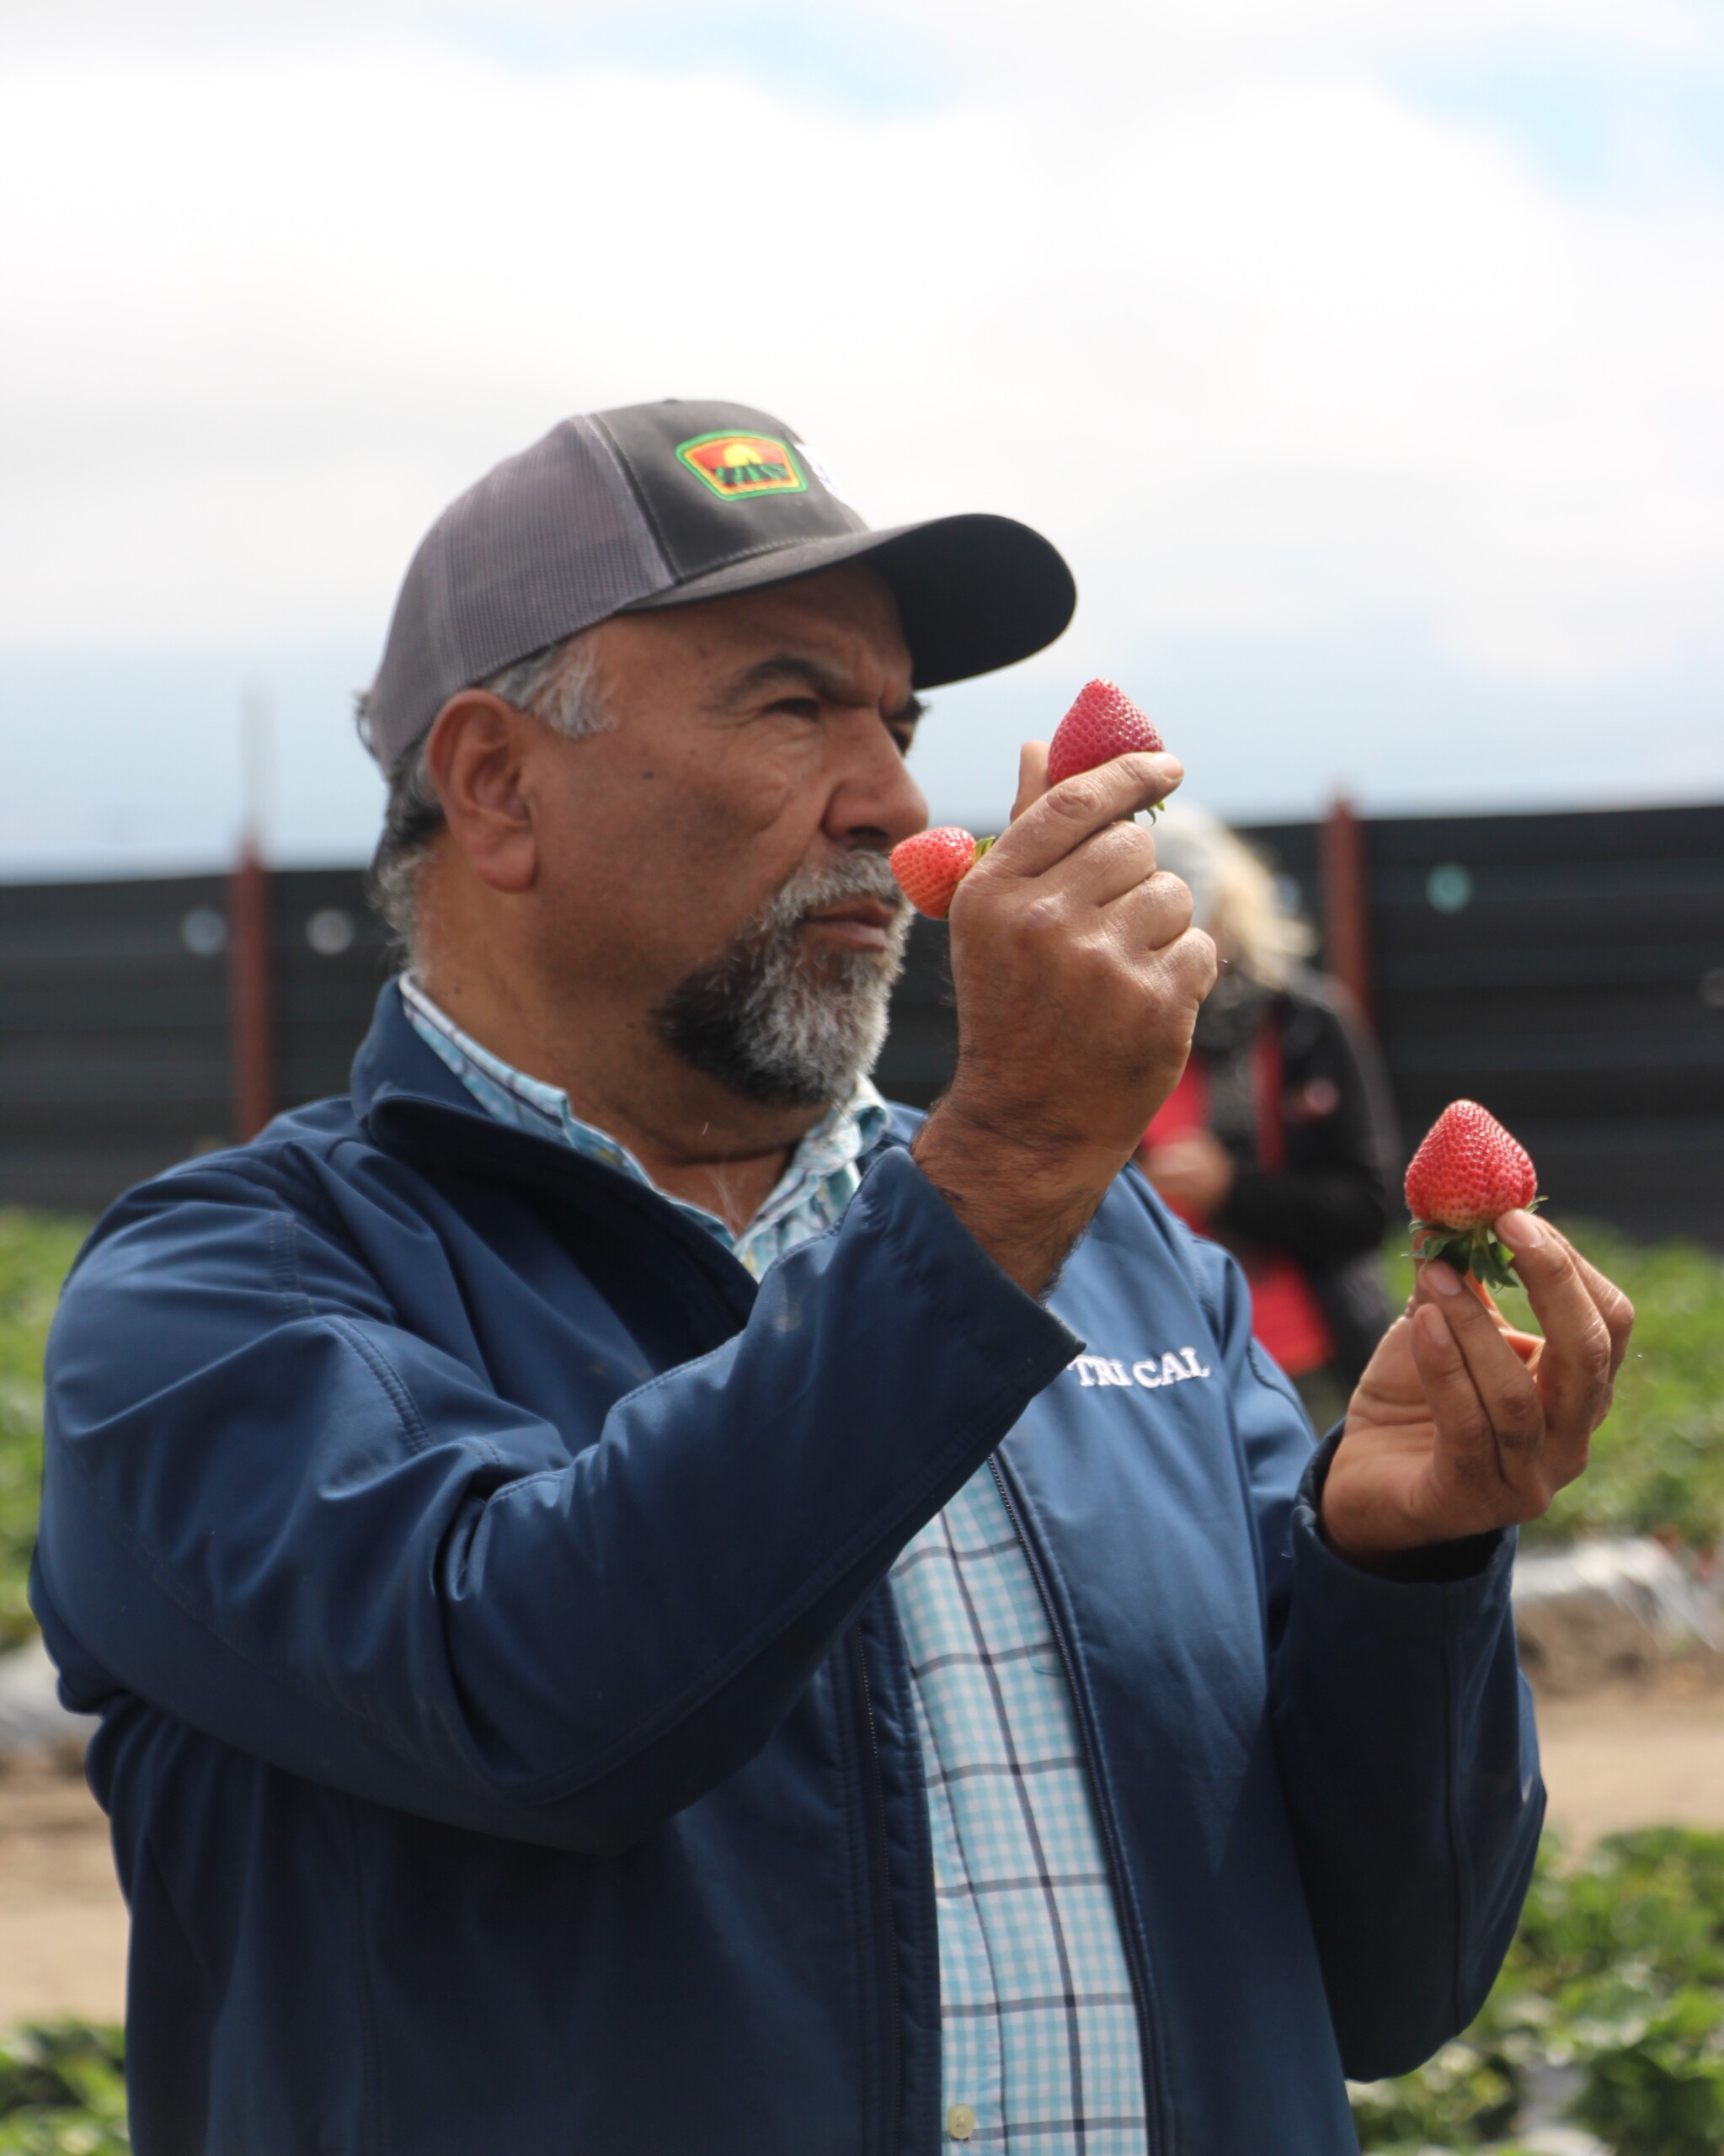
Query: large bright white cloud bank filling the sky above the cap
1266,346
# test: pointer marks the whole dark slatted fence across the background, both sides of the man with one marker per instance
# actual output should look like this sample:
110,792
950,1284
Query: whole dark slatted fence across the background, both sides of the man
1563,969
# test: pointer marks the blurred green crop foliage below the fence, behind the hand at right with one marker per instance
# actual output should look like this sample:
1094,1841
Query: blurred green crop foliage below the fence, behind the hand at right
1660,1459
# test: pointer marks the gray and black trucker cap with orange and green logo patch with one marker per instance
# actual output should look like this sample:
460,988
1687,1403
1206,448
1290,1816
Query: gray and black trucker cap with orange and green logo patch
665,503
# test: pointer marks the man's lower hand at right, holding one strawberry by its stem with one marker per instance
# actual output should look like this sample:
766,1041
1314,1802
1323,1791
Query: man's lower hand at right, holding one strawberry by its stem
1460,1424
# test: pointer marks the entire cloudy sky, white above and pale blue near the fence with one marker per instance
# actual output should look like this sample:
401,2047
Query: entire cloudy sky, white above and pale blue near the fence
1363,359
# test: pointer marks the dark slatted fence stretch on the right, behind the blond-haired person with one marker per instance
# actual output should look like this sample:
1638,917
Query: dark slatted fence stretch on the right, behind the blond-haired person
1568,971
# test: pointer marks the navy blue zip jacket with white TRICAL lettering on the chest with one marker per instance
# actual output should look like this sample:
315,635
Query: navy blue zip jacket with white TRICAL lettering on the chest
505,1730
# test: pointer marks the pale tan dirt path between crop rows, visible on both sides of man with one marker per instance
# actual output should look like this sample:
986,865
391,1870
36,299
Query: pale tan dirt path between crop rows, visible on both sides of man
1630,1758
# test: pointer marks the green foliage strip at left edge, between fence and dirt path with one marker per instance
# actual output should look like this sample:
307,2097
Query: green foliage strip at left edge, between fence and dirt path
36,1256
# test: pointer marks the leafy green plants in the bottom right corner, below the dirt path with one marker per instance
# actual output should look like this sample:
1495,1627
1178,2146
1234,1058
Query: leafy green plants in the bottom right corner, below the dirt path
1617,1972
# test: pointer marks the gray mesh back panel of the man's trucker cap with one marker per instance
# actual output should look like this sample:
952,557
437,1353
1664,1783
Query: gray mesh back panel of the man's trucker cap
546,544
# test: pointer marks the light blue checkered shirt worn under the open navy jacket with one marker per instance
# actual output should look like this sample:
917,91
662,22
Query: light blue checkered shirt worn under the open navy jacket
1040,2030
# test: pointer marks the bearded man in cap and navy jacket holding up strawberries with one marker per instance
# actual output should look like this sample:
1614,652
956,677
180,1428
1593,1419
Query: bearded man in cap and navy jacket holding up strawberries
643,1601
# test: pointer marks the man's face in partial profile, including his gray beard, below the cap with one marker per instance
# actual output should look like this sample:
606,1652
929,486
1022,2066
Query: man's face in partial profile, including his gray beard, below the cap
721,851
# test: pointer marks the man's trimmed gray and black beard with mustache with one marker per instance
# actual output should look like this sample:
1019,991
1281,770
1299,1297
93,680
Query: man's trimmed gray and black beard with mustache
781,1027
